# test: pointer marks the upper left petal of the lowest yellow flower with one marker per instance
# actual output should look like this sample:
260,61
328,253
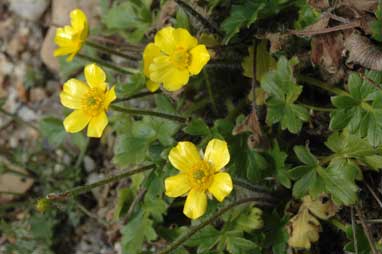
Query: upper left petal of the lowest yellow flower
184,156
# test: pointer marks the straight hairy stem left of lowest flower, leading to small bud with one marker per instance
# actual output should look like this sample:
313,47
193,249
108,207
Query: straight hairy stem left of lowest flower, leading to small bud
85,188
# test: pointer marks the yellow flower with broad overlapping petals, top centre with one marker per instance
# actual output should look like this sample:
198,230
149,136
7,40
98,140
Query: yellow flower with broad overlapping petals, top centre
174,56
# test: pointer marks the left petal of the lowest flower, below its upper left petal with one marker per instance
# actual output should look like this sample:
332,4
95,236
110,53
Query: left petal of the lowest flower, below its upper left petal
177,185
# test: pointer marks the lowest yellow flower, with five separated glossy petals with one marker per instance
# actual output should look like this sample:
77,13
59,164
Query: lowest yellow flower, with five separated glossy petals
197,175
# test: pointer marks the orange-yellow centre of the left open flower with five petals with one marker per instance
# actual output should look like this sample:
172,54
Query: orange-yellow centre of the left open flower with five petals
92,103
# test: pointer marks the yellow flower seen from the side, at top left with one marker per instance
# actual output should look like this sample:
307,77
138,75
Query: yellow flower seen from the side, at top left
71,38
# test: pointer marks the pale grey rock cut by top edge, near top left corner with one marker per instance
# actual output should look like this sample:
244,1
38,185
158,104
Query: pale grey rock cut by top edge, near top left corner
29,9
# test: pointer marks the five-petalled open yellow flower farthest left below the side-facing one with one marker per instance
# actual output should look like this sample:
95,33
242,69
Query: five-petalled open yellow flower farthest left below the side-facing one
89,101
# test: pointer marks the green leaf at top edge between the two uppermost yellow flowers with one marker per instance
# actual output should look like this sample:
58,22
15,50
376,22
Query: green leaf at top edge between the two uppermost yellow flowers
131,19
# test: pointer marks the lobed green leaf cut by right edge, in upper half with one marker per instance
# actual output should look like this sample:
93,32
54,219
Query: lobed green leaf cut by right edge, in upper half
361,110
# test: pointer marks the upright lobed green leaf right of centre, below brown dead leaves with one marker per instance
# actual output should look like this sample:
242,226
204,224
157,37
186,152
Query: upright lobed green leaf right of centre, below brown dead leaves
283,91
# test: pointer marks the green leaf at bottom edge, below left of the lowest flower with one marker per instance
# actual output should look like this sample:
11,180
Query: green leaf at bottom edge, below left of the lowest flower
136,232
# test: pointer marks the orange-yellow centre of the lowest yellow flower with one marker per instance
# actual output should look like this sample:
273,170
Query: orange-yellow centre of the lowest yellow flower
200,176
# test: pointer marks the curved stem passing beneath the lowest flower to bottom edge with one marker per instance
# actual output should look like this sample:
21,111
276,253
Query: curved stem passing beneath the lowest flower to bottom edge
187,235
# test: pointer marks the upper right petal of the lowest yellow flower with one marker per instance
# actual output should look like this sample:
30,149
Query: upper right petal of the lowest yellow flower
217,153
